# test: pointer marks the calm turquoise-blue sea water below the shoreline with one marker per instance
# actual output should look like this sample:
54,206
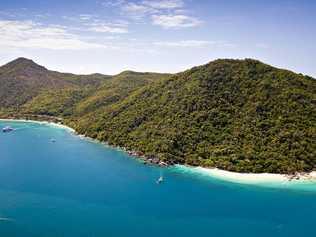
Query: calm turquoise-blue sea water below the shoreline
75,187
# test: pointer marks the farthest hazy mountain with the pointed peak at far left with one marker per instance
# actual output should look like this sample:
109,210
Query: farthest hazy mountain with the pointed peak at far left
22,80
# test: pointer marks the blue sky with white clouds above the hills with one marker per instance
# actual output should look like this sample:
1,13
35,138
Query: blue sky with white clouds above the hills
110,36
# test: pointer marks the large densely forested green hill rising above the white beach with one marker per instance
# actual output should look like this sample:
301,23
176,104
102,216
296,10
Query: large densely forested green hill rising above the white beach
239,115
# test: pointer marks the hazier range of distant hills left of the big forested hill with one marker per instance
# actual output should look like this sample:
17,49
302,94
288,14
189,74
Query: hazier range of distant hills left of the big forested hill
31,88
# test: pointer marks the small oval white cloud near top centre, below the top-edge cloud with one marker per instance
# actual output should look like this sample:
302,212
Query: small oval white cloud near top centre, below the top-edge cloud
175,21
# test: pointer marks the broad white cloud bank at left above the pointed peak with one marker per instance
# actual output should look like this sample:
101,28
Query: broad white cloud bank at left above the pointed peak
29,34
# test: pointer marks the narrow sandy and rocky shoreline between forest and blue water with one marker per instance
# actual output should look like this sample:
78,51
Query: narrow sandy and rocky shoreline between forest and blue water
229,176
